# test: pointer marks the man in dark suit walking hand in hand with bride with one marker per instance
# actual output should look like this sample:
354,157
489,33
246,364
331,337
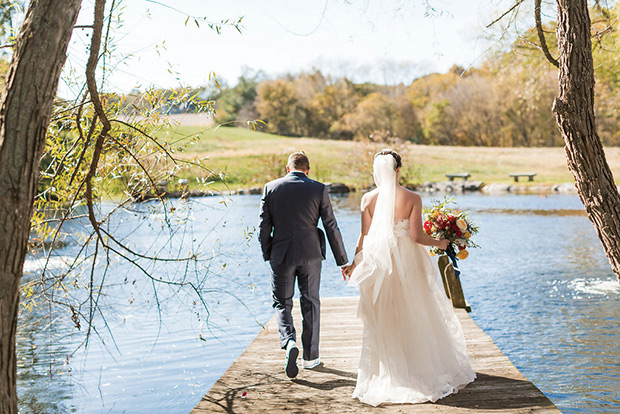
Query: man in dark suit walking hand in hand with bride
294,246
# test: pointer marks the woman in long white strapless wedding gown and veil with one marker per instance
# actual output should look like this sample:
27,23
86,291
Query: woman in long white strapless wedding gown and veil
413,349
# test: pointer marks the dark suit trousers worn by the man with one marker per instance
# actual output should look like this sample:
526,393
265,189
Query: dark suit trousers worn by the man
283,288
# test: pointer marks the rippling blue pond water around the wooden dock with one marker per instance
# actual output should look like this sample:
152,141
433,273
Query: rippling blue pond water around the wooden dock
540,286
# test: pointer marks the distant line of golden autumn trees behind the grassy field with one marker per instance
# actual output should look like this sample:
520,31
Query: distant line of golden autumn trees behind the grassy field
505,101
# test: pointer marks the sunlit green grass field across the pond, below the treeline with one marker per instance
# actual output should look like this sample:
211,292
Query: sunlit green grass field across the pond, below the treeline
250,158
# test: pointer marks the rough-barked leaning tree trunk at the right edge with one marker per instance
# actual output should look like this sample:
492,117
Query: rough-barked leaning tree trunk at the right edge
574,111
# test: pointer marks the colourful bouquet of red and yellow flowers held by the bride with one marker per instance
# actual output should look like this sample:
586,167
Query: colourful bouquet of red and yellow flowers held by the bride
444,221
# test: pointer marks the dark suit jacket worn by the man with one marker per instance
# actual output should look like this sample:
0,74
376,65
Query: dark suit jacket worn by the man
289,214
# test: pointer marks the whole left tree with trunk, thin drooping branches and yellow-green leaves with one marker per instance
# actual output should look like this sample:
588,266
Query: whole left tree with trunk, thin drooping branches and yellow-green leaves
93,143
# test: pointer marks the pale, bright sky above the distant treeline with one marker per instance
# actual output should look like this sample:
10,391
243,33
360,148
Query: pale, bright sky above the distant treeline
383,41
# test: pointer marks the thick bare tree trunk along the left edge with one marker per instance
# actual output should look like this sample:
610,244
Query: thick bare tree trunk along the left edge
25,110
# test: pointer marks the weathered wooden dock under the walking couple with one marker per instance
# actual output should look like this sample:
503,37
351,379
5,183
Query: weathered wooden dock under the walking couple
256,382
